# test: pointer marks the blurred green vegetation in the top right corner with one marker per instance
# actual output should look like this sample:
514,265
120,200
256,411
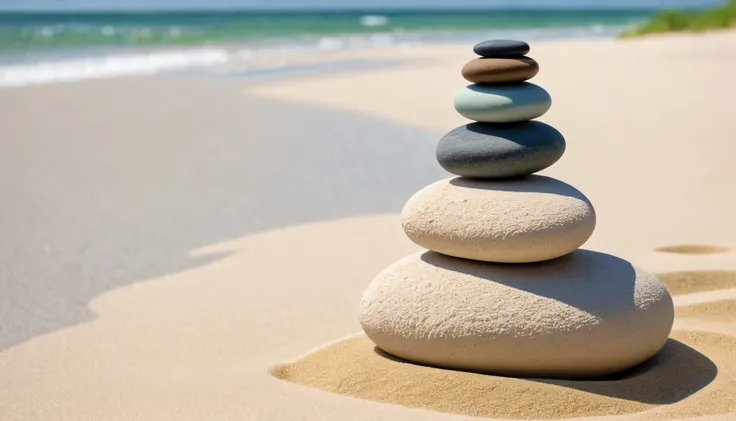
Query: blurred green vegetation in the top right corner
674,20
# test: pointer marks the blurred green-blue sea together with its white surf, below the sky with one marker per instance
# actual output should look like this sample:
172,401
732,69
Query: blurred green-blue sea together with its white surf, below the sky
55,47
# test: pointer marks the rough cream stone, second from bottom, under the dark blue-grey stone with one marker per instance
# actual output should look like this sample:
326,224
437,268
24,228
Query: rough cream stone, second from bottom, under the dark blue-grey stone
508,221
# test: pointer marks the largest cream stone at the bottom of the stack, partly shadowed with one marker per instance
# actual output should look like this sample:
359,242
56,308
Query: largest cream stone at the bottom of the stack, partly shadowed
585,314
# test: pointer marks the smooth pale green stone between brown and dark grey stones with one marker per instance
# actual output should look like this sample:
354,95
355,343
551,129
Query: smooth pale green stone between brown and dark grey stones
502,103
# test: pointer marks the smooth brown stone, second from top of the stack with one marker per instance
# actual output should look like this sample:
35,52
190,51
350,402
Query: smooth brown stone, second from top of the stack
500,70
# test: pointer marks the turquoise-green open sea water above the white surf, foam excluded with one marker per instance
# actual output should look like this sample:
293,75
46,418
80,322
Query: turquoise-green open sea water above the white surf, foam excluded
54,30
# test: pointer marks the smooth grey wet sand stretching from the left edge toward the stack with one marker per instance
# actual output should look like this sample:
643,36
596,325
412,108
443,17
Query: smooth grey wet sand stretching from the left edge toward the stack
109,182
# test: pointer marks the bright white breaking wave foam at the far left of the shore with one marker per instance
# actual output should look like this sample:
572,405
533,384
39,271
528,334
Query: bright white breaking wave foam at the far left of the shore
110,66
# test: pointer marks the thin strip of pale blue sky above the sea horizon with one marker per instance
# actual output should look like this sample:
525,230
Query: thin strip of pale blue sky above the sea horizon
332,4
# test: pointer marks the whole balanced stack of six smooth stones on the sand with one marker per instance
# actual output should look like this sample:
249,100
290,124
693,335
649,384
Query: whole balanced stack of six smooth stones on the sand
504,288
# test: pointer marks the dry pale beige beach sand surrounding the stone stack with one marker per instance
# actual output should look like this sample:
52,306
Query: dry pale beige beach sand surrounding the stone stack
648,124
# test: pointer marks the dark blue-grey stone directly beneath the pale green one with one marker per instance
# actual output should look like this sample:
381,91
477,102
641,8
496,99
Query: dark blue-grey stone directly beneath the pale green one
500,150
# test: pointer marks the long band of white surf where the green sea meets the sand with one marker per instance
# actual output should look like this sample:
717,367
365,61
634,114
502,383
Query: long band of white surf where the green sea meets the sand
229,59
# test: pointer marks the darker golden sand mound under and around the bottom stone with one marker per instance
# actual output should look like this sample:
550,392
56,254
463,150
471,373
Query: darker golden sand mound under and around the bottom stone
688,363
